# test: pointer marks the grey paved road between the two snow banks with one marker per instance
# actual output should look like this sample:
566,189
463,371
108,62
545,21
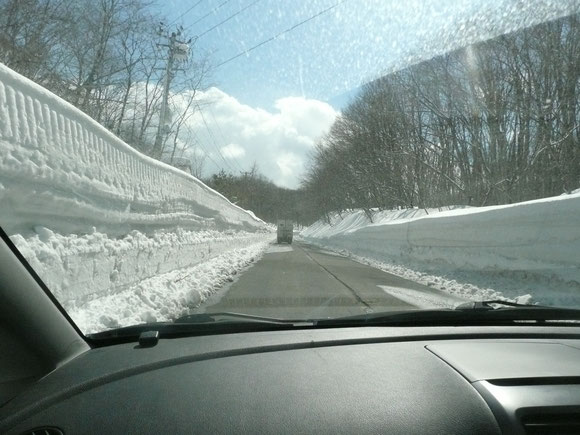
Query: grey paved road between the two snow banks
303,281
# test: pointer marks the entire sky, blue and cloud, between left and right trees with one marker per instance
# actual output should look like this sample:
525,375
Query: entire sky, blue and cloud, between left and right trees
323,61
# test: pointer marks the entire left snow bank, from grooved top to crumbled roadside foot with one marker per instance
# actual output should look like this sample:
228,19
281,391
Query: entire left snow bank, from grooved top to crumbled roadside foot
118,237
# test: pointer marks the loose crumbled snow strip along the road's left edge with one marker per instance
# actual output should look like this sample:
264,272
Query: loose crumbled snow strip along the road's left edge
166,296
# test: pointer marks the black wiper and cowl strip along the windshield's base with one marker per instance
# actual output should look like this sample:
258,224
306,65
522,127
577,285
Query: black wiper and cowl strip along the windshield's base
470,314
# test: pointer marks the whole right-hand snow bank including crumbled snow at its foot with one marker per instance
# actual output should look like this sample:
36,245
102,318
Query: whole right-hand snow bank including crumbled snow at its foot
529,248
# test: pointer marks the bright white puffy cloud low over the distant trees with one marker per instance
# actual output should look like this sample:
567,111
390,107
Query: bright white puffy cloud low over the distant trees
278,141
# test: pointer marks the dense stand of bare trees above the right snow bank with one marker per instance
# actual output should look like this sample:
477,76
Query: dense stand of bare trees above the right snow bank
493,123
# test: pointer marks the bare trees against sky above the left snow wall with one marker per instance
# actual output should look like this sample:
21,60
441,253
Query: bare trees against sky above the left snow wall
108,58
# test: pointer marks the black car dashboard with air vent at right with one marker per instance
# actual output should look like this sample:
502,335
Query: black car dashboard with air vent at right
441,380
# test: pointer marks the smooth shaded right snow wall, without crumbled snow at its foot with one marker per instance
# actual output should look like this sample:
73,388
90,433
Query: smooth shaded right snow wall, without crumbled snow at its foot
534,237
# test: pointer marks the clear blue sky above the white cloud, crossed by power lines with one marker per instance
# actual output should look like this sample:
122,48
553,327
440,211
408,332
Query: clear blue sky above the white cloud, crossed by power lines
324,58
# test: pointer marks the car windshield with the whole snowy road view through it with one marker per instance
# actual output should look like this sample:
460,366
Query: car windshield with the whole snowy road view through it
302,160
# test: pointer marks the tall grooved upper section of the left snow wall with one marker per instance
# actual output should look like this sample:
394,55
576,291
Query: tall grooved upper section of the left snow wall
62,170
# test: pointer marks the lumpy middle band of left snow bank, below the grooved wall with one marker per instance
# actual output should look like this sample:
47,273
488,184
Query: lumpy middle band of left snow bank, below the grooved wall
80,267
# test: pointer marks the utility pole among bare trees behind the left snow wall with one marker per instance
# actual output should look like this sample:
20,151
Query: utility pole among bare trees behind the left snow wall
177,51
